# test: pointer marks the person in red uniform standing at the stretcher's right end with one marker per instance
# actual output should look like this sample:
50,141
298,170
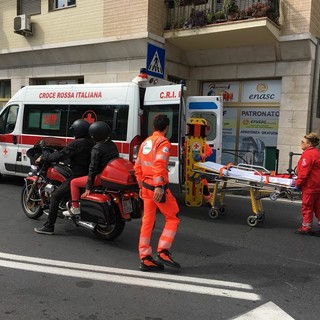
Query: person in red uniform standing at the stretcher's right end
308,181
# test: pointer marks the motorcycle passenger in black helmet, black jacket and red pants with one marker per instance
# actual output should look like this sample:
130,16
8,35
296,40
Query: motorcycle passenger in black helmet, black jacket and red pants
104,151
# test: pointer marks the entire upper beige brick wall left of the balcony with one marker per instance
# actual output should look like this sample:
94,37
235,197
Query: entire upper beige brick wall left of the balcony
90,20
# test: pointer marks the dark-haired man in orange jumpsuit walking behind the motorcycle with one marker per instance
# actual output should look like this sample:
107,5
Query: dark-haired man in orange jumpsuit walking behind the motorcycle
152,176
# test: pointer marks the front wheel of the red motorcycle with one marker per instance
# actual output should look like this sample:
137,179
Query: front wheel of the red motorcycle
32,207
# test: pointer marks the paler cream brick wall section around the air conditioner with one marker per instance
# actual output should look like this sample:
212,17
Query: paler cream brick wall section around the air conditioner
66,25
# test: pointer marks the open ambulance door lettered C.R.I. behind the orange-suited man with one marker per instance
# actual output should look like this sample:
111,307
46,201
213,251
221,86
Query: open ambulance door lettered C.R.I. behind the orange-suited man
167,100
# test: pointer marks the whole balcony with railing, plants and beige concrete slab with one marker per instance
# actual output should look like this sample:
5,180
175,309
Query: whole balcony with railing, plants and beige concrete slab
209,24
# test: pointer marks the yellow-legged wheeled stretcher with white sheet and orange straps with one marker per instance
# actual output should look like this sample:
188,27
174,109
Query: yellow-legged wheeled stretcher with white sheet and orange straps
257,180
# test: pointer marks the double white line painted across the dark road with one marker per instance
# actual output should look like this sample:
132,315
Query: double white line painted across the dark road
129,277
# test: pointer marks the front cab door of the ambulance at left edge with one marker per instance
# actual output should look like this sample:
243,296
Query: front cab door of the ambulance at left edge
9,140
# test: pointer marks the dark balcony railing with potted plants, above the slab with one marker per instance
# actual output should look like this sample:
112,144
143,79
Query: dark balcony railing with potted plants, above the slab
188,14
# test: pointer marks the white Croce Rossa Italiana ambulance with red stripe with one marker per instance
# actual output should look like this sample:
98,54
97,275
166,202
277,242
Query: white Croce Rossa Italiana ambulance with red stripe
129,108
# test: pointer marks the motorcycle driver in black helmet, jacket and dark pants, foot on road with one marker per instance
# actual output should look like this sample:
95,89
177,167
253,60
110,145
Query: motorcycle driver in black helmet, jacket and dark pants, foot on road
78,152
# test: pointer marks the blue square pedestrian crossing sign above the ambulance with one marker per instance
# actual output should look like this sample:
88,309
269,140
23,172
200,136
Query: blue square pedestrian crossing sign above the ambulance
155,61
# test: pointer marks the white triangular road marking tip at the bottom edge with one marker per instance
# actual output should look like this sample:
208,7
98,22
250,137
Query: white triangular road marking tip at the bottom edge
268,311
